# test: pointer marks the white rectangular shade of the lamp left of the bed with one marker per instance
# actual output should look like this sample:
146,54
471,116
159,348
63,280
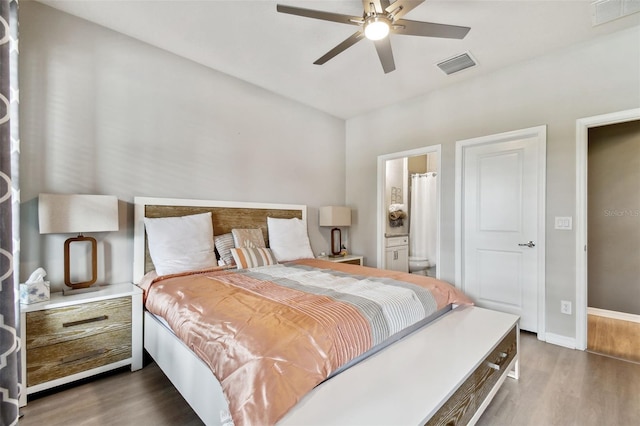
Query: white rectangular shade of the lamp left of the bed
74,213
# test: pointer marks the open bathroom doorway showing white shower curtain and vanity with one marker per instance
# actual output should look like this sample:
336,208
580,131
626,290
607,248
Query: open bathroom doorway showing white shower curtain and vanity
400,174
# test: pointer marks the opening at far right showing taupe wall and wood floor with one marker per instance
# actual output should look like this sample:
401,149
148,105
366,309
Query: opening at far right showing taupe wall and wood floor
613,240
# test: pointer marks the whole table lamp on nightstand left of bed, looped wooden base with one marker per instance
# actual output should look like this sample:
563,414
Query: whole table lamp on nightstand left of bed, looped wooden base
75,213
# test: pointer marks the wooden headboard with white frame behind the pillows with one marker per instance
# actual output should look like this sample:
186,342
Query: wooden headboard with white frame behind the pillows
225,215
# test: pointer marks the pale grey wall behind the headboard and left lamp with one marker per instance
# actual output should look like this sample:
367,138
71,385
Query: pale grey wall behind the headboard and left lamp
103,113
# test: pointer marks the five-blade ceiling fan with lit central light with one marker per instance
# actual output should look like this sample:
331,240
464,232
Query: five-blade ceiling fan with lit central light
379,19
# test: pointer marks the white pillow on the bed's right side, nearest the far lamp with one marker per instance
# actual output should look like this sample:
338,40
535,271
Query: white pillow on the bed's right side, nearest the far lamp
288,239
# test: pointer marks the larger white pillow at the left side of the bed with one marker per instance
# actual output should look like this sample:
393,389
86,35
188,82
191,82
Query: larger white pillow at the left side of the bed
180,244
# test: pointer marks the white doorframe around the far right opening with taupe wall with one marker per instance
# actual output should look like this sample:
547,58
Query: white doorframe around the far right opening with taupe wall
582,148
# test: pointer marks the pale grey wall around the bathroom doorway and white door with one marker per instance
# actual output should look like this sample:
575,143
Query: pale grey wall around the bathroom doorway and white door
556,89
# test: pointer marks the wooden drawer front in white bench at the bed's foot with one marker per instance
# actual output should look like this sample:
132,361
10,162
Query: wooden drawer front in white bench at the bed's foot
460,408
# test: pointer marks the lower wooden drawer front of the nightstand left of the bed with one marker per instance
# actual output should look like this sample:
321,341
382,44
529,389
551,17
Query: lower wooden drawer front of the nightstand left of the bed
66,358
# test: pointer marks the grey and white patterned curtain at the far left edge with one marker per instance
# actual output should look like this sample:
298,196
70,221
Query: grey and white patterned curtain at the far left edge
9,149
